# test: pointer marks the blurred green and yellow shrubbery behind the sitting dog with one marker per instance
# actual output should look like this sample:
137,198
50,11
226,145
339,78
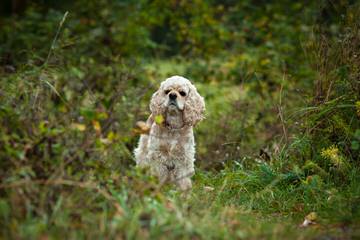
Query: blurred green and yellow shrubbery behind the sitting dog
280,80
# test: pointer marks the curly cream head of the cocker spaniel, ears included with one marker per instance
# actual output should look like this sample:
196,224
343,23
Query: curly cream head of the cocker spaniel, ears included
178,101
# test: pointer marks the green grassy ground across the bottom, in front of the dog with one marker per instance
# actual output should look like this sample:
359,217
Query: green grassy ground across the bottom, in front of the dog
234,203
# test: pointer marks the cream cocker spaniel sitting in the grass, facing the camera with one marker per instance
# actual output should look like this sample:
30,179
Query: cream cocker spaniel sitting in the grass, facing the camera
168,149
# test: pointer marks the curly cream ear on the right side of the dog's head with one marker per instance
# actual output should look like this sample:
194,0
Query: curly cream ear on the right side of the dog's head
194,107
